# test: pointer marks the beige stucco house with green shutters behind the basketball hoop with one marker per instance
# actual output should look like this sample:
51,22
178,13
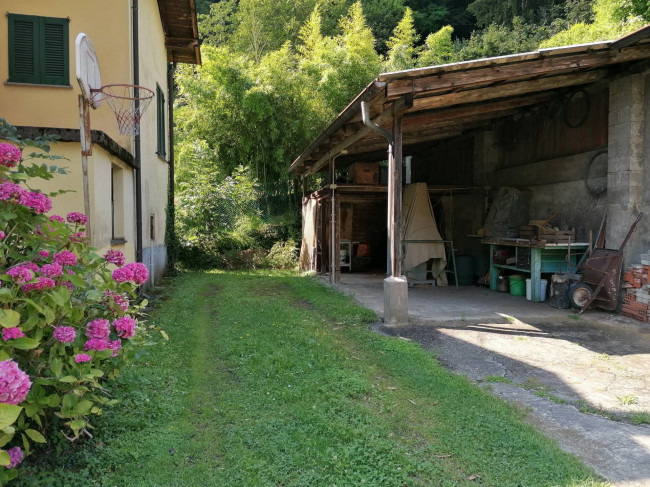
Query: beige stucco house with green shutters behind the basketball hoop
137,42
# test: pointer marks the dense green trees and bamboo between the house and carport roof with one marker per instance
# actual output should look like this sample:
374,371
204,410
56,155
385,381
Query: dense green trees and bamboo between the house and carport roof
275,72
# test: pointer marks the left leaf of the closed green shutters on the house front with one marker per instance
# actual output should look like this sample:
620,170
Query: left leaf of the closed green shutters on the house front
23,49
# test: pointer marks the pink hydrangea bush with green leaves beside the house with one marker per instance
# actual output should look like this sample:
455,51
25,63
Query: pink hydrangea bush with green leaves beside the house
67,316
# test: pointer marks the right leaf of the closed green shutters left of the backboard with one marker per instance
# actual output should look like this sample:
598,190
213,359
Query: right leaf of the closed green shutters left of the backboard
55,64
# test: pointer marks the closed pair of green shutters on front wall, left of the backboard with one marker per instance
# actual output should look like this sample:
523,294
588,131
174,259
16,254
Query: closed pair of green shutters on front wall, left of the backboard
38,50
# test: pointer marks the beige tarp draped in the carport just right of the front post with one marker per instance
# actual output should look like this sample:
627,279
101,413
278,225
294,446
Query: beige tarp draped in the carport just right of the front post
419,223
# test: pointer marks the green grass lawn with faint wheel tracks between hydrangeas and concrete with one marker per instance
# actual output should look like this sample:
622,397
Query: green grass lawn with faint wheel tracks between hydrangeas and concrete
270,379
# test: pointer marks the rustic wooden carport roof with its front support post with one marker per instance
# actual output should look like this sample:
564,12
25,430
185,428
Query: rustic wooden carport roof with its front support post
440,102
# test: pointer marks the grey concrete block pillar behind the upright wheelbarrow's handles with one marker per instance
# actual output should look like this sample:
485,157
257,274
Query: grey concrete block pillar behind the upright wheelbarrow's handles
629,107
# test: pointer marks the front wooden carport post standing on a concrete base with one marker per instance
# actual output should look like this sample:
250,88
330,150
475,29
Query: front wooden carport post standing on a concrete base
395,197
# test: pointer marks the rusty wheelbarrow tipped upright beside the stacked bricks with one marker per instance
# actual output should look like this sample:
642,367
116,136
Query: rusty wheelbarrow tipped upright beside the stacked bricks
601,276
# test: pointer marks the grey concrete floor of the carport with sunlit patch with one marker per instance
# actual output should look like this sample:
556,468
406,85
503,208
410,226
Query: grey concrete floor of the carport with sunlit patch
571,373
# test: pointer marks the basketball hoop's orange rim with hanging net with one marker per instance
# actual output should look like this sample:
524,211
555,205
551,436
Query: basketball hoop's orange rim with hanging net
128,103
